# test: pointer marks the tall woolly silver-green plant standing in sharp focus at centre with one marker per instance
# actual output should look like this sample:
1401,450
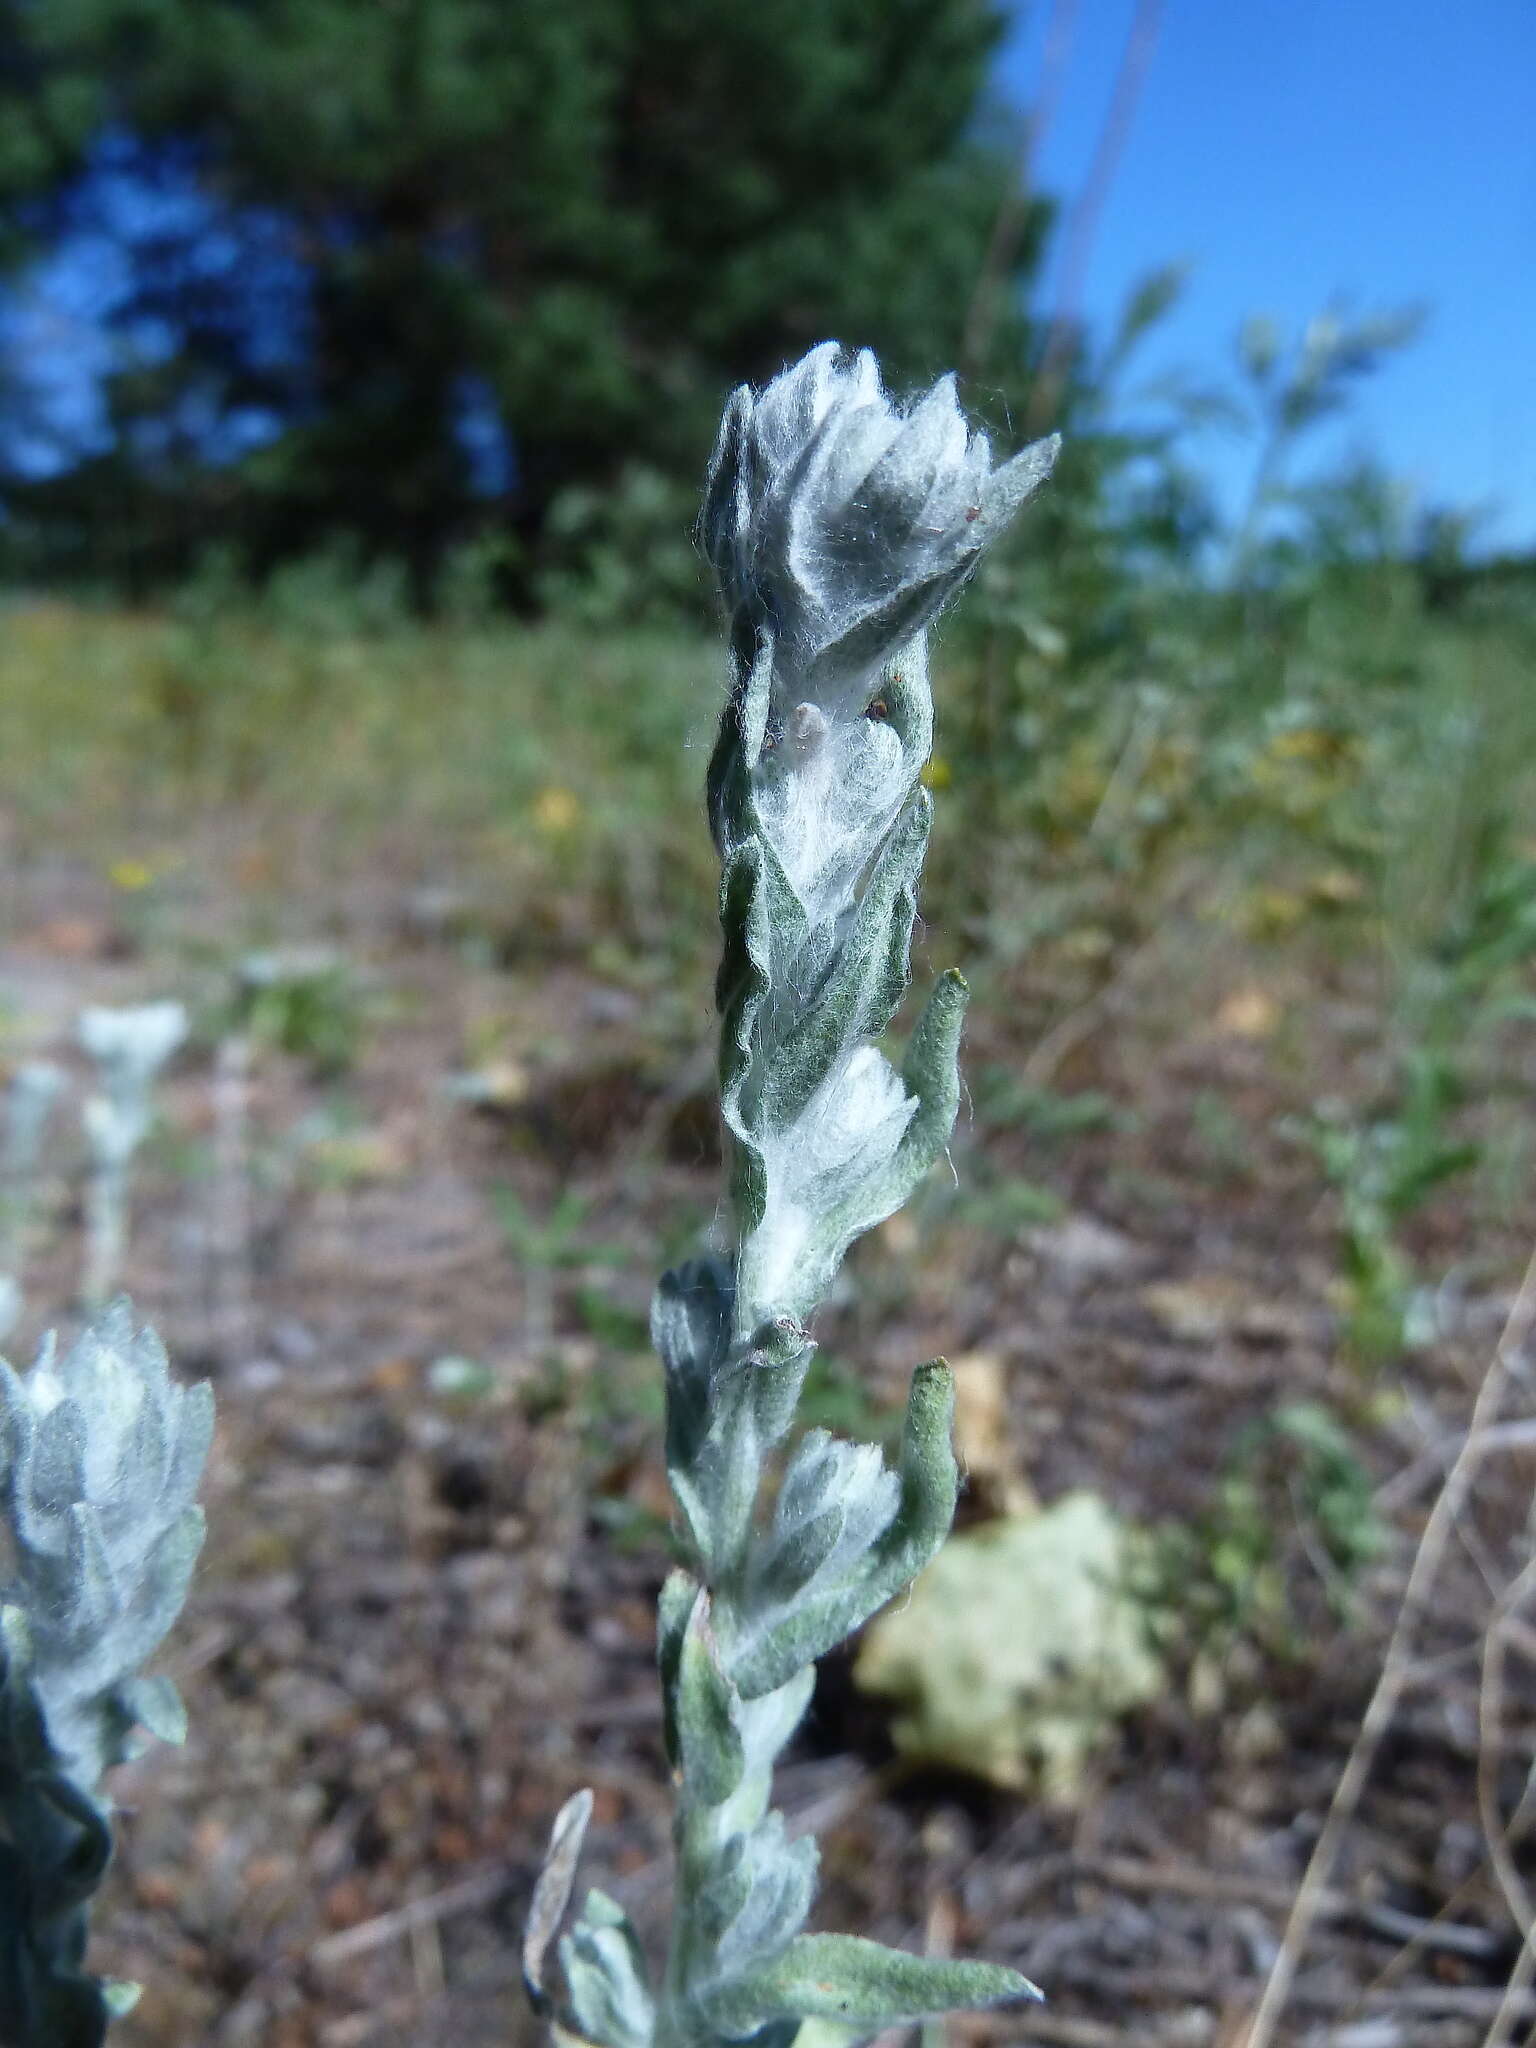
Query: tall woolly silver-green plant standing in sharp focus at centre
839,527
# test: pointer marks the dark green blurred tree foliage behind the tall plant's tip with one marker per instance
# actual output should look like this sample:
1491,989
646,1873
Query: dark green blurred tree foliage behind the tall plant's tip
605,212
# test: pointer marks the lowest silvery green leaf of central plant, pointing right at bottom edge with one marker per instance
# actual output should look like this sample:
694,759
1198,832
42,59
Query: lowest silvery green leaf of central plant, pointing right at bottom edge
861,1983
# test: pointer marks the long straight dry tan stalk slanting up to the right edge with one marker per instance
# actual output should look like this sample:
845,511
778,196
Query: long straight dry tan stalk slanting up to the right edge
1396,1670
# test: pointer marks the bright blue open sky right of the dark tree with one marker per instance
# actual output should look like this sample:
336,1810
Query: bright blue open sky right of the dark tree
1299,153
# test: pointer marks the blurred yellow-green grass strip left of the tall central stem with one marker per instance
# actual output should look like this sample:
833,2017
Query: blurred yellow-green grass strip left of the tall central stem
536,759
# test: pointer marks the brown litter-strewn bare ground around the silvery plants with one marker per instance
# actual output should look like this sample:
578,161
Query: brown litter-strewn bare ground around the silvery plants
425,1619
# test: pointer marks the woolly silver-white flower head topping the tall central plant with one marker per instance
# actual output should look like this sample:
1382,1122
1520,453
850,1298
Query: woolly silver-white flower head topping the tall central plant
839,527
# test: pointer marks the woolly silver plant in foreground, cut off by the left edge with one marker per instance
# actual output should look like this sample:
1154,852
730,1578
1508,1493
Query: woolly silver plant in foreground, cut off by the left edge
99,1461
